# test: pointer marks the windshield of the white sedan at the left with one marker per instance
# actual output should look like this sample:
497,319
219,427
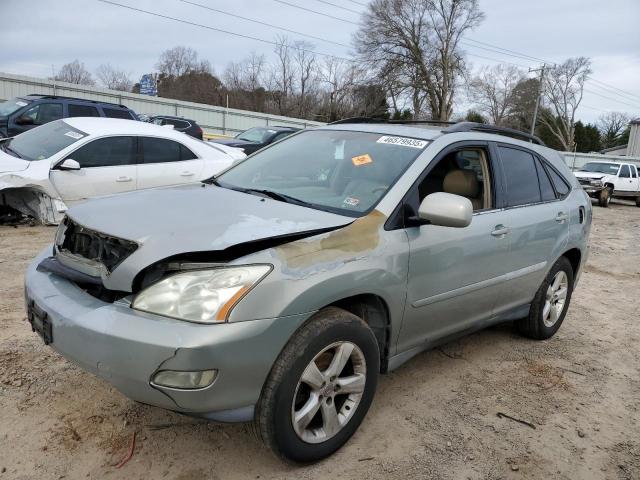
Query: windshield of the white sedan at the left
44,141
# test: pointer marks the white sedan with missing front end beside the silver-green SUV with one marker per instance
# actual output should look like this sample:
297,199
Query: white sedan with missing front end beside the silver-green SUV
64,162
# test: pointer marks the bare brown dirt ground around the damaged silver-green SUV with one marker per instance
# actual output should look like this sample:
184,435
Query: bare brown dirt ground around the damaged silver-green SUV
435,417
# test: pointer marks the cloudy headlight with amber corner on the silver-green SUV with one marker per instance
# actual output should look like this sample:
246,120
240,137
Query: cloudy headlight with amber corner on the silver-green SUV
202,296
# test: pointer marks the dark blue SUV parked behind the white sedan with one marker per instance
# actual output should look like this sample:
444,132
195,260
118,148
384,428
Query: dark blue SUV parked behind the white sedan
23,113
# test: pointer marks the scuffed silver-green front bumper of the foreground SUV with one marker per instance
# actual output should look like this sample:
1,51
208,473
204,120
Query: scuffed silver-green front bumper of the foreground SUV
126,347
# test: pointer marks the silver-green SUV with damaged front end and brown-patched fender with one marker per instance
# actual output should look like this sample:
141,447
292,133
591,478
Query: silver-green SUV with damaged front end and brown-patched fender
280,290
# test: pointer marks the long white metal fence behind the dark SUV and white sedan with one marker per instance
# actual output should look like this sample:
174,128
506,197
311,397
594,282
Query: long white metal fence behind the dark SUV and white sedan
213,120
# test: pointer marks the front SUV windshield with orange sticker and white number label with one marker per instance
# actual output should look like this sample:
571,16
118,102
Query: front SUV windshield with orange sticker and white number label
344,172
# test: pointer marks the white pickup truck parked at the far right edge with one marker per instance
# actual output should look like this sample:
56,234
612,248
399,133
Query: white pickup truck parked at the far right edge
604,179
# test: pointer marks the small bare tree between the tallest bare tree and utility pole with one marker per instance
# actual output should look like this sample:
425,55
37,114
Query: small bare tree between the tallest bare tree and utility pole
492,90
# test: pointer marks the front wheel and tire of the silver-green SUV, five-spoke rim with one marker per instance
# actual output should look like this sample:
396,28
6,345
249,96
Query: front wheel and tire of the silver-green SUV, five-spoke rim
285,394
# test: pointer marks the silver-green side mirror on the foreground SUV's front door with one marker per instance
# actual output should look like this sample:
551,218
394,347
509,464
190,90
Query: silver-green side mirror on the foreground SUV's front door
446,210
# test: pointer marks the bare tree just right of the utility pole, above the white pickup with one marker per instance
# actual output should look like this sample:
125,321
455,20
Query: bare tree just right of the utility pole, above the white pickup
563,89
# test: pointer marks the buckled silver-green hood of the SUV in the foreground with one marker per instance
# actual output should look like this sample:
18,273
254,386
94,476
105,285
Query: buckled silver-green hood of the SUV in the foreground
192,218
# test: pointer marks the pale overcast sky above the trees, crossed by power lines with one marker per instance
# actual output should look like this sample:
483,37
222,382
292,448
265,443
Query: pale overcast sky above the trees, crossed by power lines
37,34
